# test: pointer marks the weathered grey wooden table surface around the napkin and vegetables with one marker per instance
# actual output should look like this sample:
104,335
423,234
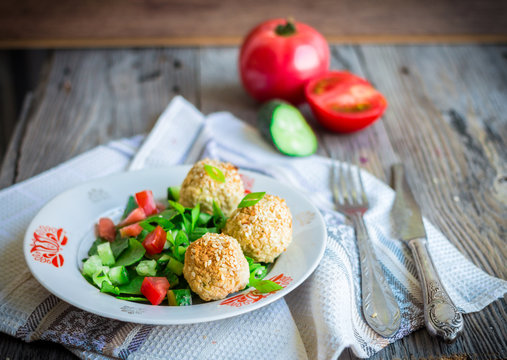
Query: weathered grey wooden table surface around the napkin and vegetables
447,122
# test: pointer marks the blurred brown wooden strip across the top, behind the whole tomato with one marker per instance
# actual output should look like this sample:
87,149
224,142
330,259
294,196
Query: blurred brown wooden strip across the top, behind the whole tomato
158,22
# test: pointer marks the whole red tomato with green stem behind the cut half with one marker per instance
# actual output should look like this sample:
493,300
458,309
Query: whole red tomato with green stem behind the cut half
279,56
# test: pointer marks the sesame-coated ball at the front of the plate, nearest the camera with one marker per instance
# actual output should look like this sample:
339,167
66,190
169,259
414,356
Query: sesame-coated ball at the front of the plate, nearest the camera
215,266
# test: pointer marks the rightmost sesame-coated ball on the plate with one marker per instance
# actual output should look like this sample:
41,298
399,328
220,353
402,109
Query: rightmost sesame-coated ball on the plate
263,230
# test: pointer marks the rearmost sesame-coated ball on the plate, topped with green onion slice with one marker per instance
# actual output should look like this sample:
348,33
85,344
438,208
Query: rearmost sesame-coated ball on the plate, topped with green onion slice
199,188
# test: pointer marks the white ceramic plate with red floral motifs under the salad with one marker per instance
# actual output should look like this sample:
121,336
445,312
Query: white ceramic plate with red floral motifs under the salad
59,237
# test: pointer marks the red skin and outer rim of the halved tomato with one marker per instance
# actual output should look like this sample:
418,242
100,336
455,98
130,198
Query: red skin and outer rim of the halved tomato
341,122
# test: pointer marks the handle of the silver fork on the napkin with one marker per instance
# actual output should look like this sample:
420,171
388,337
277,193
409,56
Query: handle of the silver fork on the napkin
380,309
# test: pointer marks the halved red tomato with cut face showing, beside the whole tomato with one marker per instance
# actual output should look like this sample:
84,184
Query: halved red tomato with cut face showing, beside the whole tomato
344,102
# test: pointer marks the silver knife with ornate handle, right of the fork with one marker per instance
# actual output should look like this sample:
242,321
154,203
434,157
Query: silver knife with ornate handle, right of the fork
441,316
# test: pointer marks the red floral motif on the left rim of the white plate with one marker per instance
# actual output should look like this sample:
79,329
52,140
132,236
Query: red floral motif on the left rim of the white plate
46,245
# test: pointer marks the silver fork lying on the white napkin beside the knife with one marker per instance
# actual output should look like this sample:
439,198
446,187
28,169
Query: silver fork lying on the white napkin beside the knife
380,308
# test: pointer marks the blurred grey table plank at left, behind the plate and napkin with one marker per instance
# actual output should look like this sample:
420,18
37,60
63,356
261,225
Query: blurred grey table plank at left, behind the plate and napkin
94,96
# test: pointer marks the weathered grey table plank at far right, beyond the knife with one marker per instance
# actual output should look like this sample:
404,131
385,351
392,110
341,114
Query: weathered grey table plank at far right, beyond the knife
453,162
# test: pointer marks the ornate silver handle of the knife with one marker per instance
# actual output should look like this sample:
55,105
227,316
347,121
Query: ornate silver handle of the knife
441,317
